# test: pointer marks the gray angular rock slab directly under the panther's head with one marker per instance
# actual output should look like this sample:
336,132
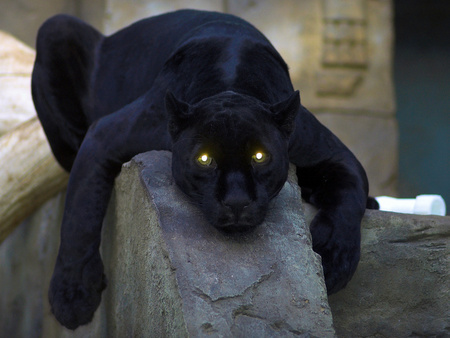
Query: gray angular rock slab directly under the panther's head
200,281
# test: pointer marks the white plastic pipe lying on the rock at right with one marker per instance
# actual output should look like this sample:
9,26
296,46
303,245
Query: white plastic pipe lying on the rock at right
421,205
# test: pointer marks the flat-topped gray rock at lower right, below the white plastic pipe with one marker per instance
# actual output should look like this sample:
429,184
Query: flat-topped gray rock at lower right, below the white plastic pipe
401,286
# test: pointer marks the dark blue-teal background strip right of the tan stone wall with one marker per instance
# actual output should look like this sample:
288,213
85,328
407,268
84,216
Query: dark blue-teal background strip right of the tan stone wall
422,81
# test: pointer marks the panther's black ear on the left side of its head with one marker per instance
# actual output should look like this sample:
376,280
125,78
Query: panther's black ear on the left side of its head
178,112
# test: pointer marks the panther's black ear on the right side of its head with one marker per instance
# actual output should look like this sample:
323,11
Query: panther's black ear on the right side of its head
284,112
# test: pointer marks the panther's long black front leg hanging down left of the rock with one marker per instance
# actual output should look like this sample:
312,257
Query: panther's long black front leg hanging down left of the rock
78,279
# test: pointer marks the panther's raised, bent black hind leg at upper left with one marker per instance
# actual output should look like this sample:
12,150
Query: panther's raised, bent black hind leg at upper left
61,81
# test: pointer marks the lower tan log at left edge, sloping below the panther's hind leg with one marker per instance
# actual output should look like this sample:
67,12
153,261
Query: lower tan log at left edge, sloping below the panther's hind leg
29,174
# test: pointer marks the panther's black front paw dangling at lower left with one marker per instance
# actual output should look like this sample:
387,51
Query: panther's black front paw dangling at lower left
75,292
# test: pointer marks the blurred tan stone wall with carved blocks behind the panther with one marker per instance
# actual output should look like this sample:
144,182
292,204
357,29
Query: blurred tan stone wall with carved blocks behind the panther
339,53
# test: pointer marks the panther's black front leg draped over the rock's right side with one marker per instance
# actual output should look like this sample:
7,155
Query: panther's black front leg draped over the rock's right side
333,181
